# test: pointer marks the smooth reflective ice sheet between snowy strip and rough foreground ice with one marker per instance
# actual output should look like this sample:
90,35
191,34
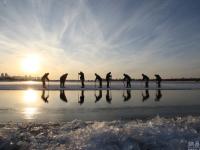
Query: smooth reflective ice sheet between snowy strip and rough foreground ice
27,105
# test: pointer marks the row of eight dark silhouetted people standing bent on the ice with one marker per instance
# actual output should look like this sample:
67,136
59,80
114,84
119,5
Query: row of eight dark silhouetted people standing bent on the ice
81,76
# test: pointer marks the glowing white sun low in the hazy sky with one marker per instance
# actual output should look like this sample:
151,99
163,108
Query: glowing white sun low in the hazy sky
30,64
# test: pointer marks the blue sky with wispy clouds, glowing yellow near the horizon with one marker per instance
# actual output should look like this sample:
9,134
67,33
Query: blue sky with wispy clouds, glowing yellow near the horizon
121,36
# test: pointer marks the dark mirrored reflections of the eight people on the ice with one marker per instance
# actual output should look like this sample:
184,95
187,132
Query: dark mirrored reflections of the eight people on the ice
126,96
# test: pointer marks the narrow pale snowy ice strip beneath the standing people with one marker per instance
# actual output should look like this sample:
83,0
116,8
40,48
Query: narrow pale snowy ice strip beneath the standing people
116,85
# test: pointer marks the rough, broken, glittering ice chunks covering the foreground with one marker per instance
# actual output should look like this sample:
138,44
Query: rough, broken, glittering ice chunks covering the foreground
156,133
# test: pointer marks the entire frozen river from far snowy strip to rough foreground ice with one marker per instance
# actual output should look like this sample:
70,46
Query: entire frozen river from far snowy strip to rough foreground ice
118,118
